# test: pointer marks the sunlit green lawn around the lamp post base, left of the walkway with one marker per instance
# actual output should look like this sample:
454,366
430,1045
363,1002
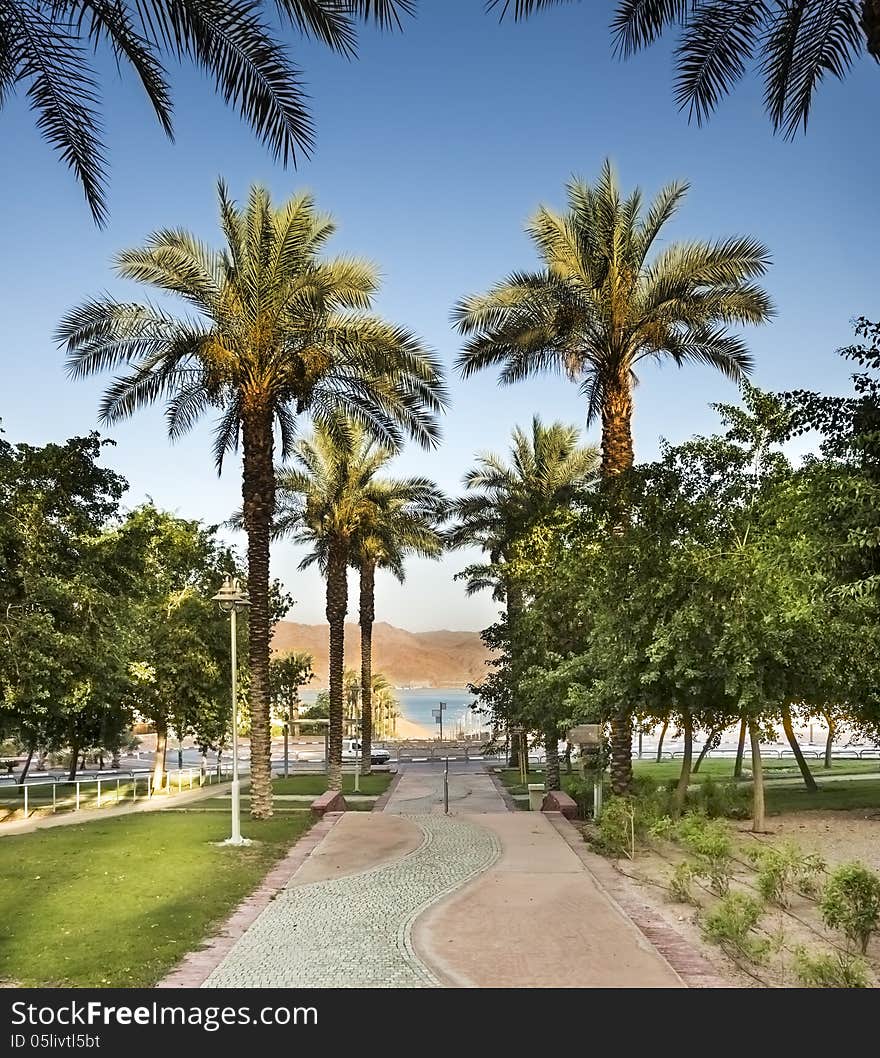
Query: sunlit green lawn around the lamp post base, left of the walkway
119,902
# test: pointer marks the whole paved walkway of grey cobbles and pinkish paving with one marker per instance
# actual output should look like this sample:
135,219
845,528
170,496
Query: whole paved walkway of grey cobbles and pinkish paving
412,898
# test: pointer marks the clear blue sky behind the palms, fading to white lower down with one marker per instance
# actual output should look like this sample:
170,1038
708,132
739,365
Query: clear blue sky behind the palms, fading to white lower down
433,151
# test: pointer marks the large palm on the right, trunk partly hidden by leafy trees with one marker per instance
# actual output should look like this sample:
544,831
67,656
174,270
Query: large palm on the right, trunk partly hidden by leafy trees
600,308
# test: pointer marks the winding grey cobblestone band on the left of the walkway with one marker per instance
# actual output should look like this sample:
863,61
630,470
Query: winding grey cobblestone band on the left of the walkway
355,932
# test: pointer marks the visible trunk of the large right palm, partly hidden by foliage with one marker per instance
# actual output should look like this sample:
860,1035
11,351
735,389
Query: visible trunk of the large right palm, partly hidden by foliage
617,459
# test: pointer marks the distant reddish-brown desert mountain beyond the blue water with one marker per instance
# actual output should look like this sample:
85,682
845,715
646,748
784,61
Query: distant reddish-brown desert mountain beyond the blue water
408,659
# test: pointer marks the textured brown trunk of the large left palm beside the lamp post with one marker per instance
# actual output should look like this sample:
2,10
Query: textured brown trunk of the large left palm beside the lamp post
259,497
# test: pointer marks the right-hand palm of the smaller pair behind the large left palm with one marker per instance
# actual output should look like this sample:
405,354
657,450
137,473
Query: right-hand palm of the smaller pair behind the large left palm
406,522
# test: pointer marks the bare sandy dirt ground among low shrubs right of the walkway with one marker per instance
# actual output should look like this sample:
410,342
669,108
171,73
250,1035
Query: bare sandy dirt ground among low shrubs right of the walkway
839,837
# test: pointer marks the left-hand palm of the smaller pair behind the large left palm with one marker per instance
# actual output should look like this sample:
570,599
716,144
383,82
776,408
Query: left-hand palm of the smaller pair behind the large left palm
328,497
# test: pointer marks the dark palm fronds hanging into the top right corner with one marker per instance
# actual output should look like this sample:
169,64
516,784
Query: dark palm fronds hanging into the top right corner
795,46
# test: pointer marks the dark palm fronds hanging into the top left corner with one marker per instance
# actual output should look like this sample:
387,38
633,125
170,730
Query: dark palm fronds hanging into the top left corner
46,47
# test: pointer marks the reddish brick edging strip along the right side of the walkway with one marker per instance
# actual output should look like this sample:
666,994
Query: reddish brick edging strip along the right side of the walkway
694,970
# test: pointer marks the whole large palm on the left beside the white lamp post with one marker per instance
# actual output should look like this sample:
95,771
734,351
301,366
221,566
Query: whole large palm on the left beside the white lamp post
279,333
